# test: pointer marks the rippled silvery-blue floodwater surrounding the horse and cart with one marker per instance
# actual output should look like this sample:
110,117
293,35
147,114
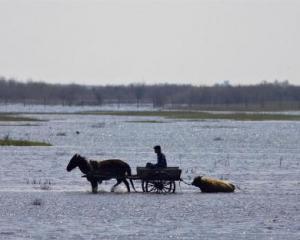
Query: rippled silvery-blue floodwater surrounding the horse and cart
39,199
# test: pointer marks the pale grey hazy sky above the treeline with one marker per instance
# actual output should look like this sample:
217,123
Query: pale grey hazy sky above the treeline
110,42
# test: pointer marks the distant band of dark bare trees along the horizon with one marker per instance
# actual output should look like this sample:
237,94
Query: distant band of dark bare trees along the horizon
264,96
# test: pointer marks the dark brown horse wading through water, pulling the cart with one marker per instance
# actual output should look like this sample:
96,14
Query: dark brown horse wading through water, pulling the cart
106,169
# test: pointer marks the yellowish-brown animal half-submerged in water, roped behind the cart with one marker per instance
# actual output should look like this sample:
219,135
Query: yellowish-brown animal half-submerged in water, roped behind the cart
210,185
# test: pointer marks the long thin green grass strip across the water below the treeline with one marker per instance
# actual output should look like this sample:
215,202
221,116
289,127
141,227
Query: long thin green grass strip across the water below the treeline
194,115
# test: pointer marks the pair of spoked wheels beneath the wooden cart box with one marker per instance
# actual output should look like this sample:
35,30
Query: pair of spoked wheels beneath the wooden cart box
160,186
